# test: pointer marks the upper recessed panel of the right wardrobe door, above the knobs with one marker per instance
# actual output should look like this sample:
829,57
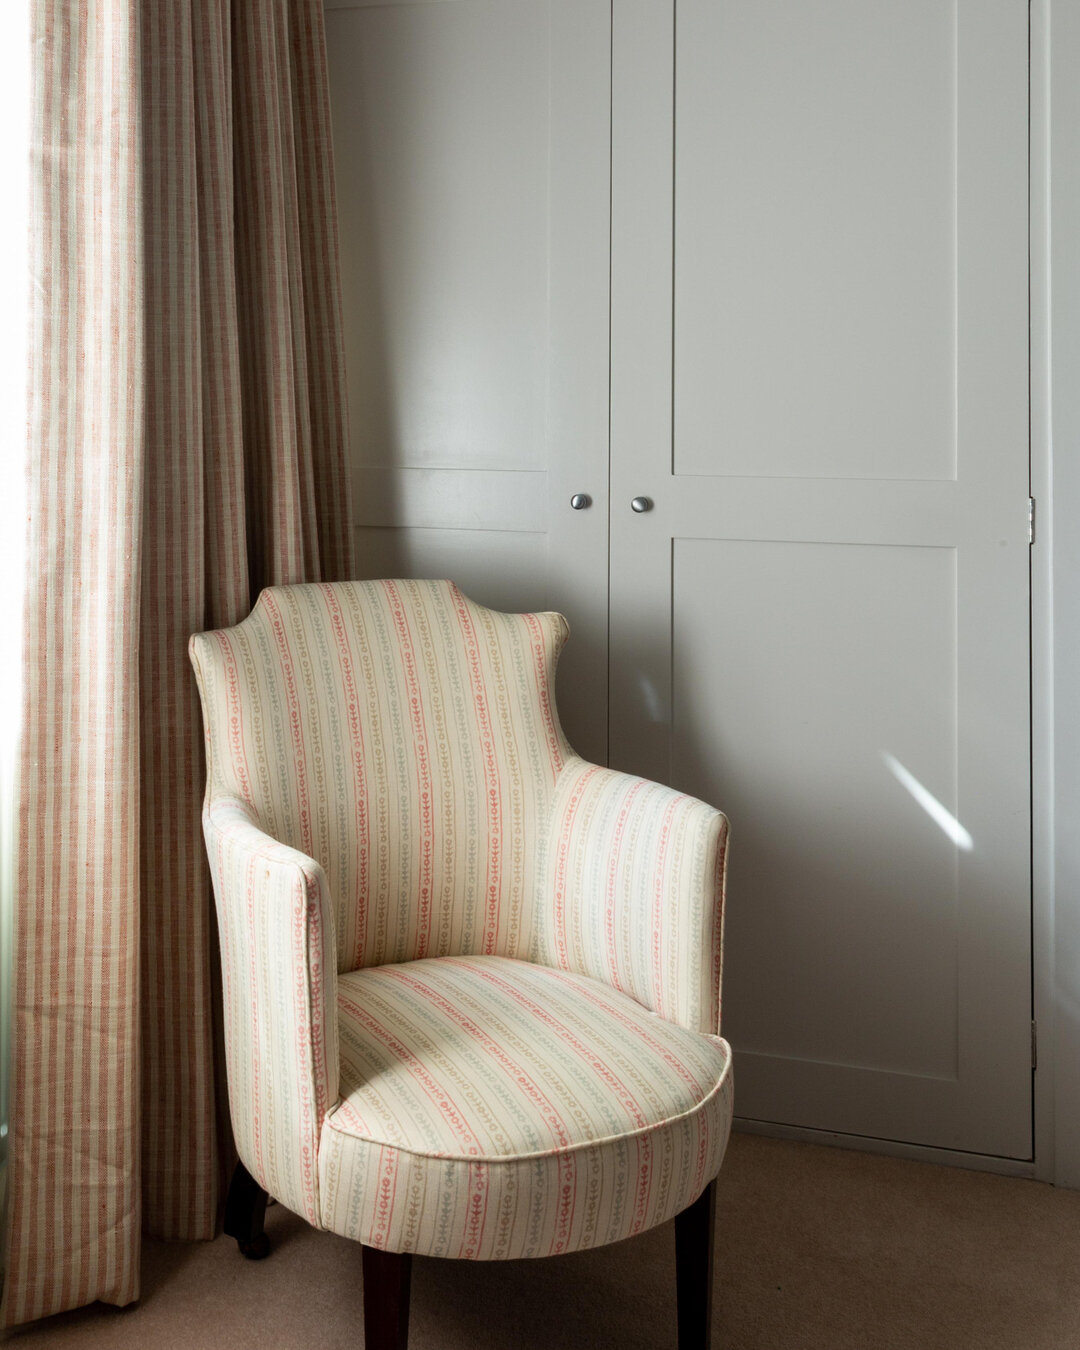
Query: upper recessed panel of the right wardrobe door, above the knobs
847,111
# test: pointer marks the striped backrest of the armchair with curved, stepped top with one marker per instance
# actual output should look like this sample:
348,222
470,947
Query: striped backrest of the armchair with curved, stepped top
408,742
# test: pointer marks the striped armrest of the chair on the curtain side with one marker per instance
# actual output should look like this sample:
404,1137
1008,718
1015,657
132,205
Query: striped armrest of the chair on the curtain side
279,975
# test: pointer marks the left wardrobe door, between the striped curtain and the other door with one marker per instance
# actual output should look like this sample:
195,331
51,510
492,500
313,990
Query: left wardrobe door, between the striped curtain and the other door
473,155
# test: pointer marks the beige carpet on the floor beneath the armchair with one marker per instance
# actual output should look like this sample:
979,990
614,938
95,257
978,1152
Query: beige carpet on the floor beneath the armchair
820,1249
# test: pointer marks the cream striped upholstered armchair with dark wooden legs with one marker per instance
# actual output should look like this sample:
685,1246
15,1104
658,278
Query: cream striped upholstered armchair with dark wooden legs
472,983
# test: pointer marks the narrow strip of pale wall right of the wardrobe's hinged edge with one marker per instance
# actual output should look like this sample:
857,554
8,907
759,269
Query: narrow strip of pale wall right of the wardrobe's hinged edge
1056,578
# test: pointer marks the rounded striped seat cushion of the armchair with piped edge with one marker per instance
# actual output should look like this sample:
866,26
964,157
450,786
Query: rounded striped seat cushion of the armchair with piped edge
496,1109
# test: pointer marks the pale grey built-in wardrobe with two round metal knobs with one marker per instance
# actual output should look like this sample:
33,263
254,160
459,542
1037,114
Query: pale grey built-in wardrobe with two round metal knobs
707,325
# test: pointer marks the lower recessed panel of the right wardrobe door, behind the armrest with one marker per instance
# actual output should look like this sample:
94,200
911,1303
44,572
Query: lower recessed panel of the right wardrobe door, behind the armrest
819,762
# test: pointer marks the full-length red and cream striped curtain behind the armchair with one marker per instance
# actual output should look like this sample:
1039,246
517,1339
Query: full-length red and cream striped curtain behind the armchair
187,448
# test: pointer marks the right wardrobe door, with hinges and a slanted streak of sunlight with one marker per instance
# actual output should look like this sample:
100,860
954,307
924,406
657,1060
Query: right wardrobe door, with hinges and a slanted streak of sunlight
820,379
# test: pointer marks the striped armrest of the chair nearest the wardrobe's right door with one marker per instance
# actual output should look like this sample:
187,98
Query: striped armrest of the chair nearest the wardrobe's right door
634,892
